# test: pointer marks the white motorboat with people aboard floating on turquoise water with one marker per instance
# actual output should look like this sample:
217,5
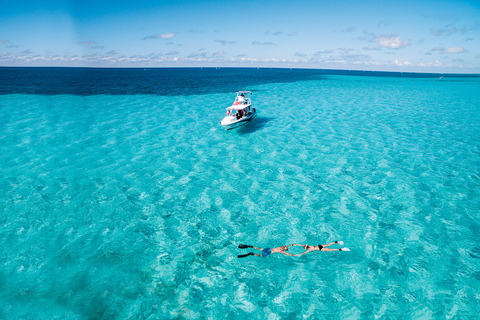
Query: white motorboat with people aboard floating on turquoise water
240,112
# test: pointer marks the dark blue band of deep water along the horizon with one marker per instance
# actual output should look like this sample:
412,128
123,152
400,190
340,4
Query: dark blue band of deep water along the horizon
165,81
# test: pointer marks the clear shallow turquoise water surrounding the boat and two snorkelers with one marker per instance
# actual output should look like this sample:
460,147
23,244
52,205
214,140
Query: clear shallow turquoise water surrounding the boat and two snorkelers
131,206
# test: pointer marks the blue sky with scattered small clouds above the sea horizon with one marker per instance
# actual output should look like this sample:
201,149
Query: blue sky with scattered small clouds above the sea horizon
407,36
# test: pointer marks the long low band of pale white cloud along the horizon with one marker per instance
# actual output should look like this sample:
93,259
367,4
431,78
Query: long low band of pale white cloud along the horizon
334,59
